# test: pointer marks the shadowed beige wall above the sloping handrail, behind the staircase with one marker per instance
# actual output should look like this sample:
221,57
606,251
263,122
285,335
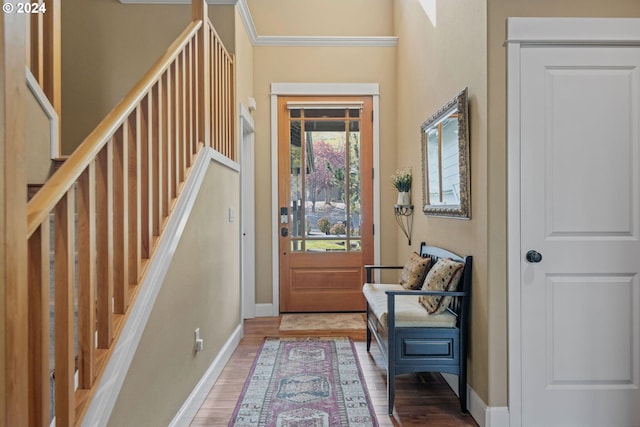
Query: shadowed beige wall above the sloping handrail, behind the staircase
106,48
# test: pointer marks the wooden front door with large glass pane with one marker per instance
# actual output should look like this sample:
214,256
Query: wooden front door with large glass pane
325,211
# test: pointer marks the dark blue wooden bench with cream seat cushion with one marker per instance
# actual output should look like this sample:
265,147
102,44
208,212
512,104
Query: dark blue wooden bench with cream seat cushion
411,339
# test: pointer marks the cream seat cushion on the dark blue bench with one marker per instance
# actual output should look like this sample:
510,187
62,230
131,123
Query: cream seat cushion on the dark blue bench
409,311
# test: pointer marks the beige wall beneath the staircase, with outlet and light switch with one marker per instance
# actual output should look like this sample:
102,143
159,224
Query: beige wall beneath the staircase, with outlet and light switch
201,290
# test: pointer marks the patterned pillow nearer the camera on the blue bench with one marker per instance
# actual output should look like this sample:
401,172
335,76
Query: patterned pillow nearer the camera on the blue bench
443,276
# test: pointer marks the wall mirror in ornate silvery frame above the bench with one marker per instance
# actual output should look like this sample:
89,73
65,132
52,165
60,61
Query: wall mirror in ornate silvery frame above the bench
445,160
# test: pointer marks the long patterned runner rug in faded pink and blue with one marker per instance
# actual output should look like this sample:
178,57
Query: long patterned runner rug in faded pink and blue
311,382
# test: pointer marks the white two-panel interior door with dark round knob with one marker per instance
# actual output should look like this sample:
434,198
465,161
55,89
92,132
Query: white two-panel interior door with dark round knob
580,210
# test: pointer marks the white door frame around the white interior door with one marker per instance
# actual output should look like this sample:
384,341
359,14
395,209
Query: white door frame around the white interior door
522,32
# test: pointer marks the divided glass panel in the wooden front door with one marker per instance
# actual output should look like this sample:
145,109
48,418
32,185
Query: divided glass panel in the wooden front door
325,197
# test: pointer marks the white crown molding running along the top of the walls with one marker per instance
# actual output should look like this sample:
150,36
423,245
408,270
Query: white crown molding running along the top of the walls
285,41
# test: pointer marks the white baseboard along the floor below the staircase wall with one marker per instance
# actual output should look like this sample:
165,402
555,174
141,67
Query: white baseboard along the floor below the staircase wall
200,392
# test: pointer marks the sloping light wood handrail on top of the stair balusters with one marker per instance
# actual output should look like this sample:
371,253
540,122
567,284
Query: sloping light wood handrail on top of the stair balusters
53,190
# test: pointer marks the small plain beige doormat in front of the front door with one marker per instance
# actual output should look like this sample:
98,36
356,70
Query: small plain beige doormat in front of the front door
322,321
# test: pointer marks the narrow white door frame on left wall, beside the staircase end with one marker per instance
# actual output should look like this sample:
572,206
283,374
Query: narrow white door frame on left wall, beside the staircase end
247,209
